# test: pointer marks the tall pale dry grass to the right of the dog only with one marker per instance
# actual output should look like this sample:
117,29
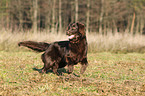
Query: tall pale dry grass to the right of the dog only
116,43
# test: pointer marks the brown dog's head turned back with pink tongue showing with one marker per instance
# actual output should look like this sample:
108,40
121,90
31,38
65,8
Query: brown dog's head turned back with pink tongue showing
76,32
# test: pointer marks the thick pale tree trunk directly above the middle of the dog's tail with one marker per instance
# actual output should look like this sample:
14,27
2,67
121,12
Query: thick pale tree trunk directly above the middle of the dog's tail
35,6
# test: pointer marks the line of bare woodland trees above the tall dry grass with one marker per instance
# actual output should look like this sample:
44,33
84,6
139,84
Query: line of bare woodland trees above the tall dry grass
100,16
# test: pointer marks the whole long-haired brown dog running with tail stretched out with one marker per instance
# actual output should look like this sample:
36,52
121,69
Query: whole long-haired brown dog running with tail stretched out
62,53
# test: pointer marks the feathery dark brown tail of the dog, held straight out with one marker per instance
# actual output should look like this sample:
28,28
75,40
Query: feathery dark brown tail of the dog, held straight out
36,46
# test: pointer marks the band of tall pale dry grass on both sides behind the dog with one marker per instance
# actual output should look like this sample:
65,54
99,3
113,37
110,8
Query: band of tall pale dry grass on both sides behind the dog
97,43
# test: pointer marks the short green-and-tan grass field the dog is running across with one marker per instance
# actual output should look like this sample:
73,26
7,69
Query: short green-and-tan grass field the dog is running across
107,74
